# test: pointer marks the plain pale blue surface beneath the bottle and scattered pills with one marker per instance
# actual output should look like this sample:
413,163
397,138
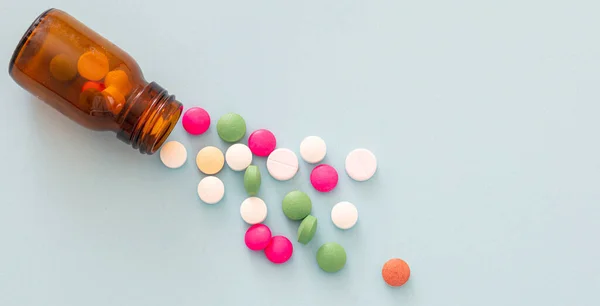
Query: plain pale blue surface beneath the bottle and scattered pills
483,115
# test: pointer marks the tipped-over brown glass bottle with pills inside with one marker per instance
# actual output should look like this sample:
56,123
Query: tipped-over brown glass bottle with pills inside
92,81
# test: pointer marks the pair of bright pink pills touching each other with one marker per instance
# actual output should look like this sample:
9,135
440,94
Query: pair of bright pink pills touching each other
278,249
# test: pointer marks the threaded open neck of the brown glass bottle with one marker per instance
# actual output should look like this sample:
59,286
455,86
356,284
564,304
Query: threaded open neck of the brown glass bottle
151,116
